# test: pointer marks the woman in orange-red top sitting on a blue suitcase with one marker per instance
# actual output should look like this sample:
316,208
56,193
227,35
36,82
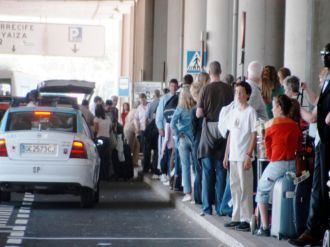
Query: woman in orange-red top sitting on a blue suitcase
282,140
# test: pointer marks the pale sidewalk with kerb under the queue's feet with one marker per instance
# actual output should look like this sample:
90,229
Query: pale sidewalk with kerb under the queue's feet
213,224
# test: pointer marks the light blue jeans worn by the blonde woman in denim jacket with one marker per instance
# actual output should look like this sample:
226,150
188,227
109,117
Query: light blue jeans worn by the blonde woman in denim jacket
185,151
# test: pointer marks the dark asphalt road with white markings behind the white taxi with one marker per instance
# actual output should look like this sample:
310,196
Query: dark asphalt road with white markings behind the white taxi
129,214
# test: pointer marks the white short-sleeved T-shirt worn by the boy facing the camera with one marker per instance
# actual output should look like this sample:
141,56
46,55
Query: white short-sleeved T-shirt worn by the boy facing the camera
241,125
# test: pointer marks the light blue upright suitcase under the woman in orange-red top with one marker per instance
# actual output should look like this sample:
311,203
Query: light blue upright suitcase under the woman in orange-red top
282,208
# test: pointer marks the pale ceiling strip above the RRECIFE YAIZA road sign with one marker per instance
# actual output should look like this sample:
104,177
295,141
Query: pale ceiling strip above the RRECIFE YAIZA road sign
65,9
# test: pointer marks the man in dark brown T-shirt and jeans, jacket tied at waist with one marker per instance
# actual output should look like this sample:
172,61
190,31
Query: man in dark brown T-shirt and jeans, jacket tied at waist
212,98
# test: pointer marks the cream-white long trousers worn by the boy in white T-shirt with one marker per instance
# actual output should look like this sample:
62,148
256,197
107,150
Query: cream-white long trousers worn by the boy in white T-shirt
241,186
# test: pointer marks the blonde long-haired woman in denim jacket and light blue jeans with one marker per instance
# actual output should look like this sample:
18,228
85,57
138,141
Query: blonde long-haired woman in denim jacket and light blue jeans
182,128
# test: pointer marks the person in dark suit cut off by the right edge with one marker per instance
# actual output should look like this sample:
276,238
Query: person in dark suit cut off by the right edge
318,219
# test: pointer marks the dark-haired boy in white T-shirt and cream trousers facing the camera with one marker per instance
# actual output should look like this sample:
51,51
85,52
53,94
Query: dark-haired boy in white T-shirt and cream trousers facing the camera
240,145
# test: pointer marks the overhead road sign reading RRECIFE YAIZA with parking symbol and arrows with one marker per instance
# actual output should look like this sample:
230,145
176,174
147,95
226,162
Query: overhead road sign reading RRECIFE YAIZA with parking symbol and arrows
52,39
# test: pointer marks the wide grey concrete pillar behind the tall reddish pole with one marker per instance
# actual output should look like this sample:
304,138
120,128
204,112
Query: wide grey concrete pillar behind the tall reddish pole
264,31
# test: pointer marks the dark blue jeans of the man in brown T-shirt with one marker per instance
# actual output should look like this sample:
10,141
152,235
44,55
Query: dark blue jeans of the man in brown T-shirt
211,166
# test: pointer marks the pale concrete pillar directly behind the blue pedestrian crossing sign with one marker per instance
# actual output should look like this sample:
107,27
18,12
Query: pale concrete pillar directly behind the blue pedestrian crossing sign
194,24
